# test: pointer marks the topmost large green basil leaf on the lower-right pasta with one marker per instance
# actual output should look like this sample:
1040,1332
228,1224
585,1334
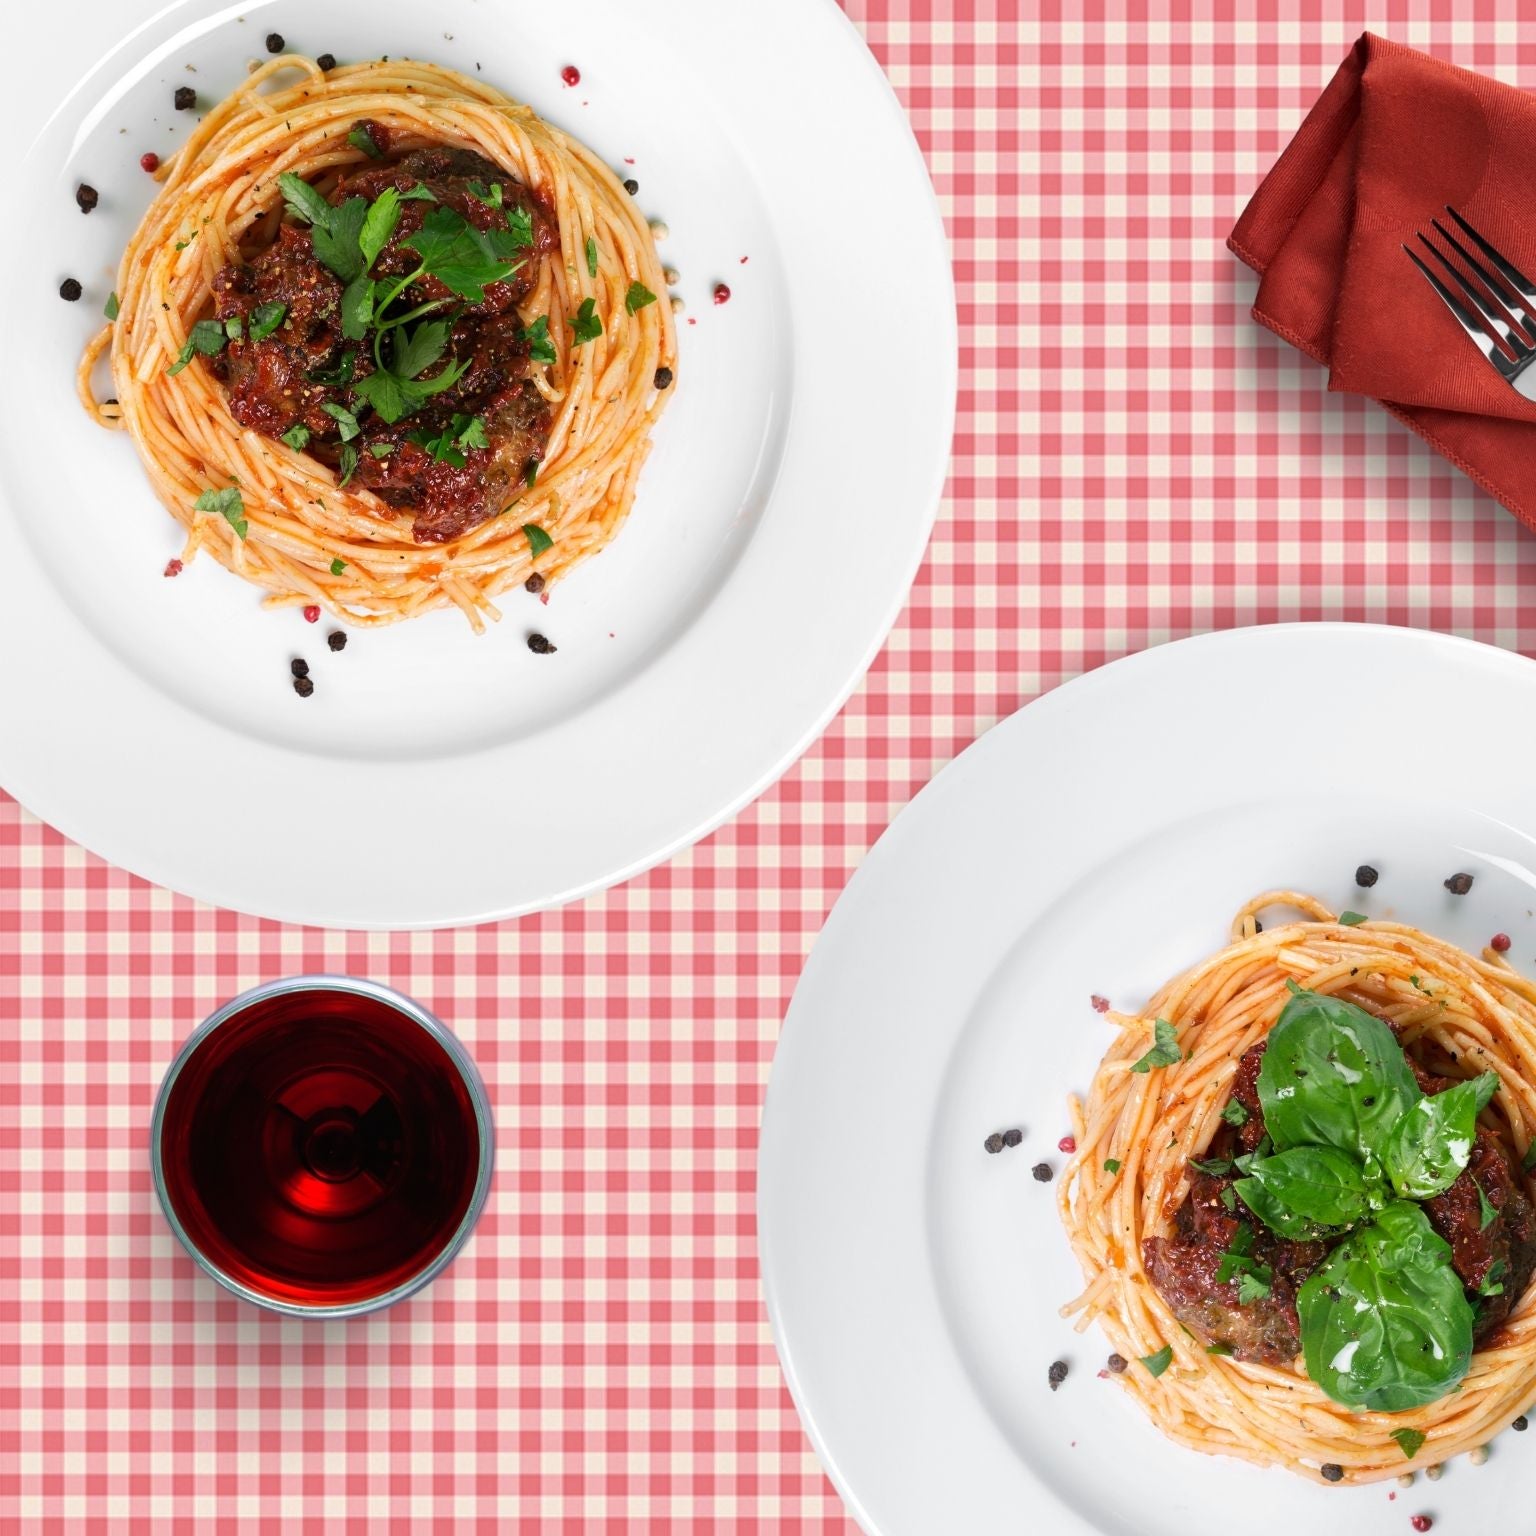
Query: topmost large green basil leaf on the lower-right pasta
1334,1076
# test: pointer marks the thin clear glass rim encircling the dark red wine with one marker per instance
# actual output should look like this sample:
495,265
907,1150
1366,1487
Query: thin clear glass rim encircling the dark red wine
451,1044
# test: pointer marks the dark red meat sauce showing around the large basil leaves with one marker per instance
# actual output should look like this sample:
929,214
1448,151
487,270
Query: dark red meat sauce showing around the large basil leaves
1268,1331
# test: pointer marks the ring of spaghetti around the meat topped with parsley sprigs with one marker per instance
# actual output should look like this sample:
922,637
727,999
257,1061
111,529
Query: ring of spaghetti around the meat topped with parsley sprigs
305,538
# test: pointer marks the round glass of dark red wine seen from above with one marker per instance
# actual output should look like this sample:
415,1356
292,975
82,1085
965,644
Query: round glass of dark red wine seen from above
323,1147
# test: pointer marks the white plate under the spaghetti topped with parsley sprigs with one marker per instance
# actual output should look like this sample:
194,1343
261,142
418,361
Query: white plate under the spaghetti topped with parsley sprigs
437,778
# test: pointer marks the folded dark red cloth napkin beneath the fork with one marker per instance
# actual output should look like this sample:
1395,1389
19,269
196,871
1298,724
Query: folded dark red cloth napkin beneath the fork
1395,137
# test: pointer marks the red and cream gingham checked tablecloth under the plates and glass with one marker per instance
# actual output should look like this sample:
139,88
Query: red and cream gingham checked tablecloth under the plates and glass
1136,462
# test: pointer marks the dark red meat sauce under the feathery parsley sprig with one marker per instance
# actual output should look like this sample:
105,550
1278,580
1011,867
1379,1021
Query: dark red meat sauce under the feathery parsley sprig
290,379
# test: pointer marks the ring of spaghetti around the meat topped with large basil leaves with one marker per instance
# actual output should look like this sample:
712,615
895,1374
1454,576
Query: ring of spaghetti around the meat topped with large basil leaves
1130,1174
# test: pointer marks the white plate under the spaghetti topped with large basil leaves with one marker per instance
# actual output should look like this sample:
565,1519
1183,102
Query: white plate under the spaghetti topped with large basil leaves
1096,842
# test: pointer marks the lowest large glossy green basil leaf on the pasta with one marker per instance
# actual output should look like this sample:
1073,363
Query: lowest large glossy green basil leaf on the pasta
1385,1322
